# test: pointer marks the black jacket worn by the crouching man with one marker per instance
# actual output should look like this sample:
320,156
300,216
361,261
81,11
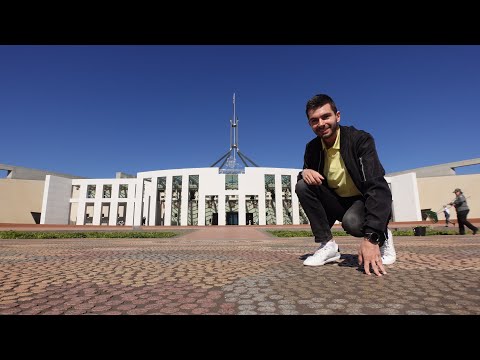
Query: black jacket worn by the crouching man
359,154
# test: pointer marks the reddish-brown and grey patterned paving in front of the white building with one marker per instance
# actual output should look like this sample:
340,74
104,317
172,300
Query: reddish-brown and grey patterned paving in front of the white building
234,270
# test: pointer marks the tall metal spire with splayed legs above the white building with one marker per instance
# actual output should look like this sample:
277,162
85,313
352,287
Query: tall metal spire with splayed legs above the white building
230,164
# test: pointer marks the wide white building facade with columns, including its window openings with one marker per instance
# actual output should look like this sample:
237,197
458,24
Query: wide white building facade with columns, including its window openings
196,197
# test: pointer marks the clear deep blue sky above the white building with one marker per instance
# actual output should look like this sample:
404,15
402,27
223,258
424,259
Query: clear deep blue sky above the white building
95,110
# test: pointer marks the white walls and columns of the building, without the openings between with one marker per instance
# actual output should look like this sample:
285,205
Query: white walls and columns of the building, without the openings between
56,199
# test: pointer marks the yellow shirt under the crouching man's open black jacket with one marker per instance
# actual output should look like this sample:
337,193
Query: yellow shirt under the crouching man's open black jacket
337,174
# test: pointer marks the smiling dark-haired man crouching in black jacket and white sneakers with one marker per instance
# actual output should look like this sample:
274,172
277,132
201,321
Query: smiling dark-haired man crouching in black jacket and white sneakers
343,179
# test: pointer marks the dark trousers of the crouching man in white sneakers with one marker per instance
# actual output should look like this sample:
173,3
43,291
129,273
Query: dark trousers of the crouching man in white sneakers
323,207
